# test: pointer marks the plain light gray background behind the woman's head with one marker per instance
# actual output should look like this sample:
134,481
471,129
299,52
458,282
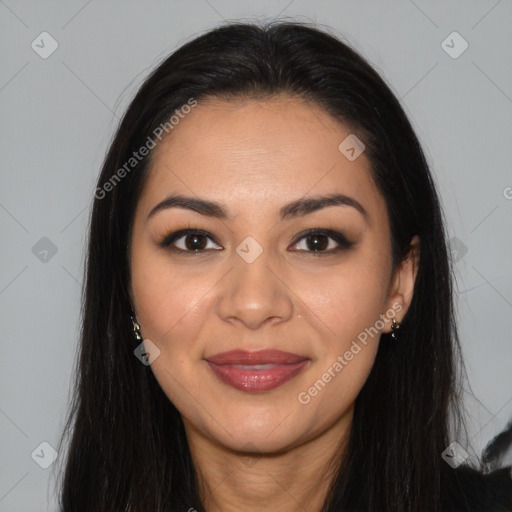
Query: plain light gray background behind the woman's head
58,115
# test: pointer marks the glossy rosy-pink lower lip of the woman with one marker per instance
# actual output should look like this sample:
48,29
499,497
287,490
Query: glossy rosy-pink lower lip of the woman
253,380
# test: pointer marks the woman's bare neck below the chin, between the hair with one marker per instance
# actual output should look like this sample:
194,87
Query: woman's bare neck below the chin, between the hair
295,479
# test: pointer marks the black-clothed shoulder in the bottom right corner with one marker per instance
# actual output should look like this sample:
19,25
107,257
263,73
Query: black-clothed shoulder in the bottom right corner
468,489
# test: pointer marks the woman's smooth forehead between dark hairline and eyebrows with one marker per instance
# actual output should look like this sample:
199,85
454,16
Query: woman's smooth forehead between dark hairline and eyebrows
258,153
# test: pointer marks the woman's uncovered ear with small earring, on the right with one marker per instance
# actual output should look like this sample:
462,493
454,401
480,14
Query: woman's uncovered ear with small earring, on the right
401,288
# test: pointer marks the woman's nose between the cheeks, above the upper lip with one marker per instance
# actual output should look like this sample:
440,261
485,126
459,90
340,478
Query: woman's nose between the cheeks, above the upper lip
254,294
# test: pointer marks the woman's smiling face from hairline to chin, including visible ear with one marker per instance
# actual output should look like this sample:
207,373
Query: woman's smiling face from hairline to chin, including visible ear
255,281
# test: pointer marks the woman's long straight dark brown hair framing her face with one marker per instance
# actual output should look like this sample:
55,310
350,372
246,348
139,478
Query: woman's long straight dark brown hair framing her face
127,448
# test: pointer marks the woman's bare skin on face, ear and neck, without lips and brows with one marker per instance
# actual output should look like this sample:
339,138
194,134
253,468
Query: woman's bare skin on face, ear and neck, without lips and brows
254,156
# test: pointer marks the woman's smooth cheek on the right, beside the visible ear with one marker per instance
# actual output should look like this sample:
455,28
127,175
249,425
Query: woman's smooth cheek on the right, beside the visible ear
348,302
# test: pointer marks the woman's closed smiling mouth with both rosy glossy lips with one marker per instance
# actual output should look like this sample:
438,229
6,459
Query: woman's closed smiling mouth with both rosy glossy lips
262,370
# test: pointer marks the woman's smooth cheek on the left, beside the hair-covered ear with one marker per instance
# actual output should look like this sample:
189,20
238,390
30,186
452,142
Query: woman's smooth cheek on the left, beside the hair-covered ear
171,307
